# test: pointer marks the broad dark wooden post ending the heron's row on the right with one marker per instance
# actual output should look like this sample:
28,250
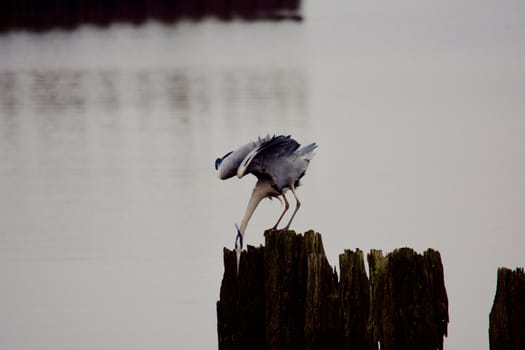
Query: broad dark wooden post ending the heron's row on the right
409,301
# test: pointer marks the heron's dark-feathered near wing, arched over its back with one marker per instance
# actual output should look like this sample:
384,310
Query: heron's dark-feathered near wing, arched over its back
261,160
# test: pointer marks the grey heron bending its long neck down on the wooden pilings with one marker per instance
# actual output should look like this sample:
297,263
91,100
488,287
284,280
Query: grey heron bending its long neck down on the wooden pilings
278,162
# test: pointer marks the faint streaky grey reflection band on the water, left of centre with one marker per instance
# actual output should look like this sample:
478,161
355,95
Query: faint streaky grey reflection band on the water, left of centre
177,91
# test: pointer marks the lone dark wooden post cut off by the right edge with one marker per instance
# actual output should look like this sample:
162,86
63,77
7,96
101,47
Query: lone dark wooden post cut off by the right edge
507,317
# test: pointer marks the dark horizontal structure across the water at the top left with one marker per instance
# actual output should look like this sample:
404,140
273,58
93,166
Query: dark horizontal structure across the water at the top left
41,15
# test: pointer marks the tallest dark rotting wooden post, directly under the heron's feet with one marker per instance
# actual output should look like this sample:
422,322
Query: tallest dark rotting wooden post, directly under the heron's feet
300,290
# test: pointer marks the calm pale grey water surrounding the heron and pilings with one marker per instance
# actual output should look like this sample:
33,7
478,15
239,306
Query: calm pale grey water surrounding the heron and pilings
112,220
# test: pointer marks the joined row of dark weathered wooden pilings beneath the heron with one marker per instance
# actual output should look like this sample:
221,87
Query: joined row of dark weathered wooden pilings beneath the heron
287,296
